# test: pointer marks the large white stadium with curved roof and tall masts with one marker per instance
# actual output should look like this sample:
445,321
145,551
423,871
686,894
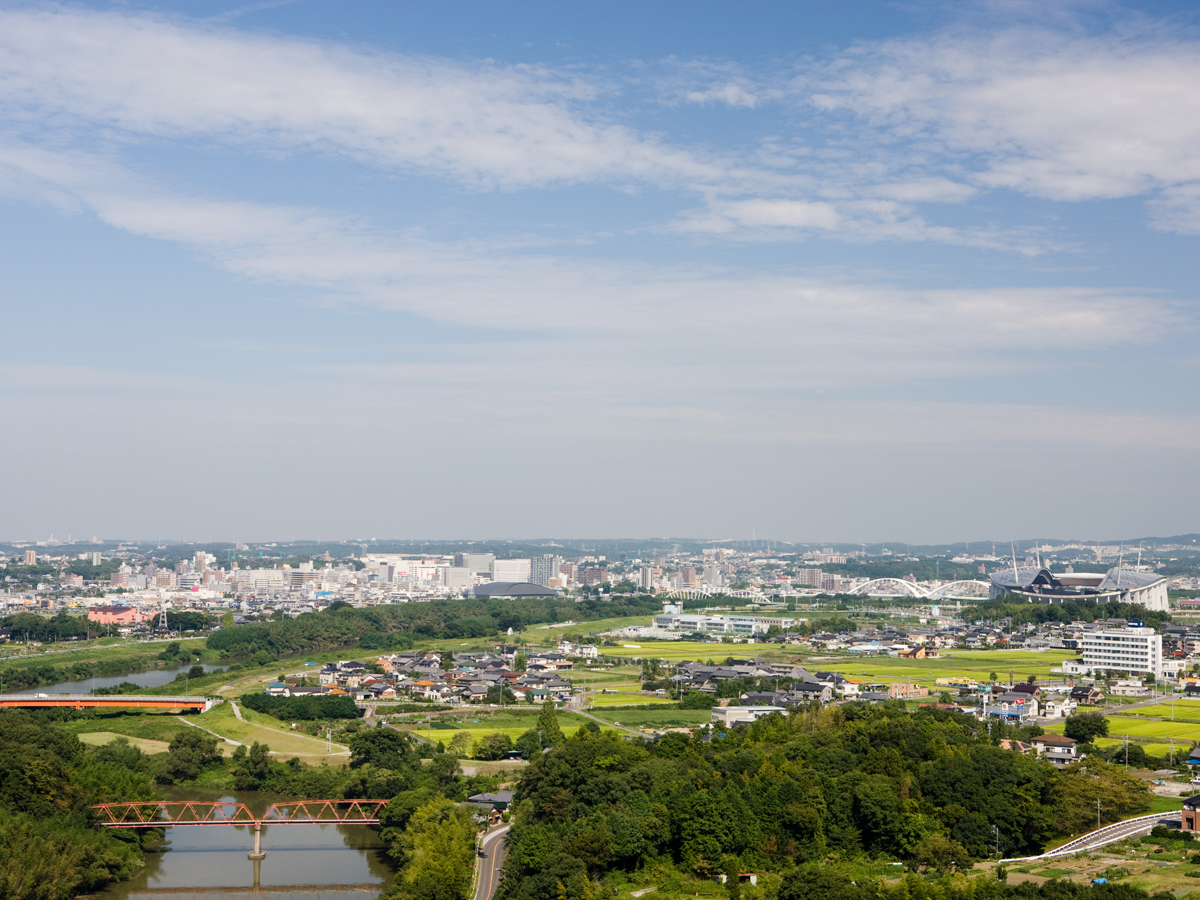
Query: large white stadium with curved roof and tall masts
1036,583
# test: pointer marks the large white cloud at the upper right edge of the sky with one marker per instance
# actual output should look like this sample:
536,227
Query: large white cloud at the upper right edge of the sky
1043,113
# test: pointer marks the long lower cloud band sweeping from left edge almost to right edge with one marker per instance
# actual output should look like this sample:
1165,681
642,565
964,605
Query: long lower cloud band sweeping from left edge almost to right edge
593,302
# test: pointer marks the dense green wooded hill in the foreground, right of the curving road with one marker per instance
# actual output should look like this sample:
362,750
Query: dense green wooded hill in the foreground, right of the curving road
925,789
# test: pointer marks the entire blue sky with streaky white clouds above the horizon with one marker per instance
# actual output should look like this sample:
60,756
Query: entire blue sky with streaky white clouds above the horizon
814,272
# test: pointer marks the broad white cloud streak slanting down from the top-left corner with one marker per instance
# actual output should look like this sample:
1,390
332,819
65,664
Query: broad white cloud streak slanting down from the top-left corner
485,125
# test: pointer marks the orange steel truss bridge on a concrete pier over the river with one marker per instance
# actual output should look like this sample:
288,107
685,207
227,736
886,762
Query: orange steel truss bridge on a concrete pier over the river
170,814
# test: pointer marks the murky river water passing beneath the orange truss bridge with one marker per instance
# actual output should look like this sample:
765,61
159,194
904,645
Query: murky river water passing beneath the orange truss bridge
304,862
